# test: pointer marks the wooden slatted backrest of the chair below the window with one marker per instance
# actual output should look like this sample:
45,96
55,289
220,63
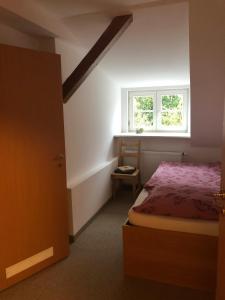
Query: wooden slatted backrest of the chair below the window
129,149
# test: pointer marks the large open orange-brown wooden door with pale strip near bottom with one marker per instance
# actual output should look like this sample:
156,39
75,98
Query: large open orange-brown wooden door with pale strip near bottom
33,210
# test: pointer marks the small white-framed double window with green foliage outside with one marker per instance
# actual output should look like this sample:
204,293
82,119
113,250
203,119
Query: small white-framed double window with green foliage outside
158,110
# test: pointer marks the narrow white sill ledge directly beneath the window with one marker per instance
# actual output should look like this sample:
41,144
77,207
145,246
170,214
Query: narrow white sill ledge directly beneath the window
155,134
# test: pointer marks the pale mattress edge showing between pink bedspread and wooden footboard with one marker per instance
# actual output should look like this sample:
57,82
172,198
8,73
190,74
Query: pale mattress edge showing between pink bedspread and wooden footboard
205,227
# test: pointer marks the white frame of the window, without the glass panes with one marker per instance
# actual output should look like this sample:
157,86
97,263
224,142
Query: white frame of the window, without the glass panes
128,117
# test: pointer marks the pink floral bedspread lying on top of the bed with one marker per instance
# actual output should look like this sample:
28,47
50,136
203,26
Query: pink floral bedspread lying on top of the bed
183,190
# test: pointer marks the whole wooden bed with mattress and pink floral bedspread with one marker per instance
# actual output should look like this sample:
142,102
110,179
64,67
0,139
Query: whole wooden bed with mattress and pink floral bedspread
168,247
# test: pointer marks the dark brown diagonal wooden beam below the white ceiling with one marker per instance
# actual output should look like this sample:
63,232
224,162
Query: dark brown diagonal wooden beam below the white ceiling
104,43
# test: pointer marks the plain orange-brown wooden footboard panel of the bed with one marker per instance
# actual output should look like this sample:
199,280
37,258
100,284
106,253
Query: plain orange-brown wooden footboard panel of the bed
184,259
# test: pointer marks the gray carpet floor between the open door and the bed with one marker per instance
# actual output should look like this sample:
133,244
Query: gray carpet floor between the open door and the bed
93,271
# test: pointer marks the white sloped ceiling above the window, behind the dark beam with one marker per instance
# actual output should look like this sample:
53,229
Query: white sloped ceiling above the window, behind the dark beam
153,51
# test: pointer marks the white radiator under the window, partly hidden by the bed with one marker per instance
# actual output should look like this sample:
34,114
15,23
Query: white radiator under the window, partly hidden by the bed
150,160
